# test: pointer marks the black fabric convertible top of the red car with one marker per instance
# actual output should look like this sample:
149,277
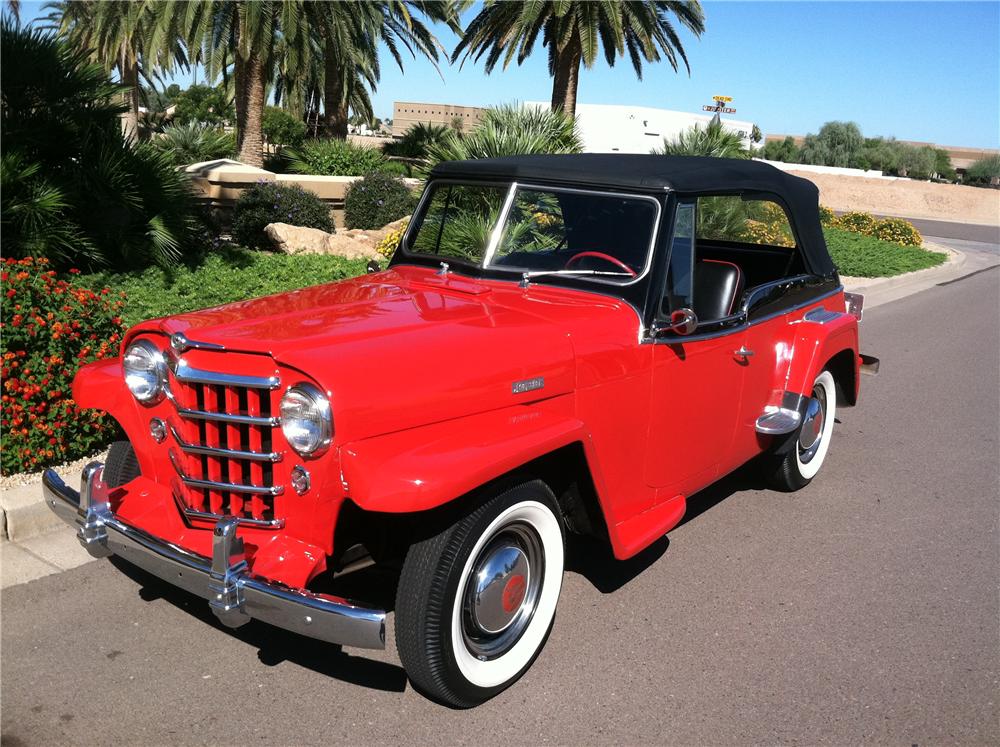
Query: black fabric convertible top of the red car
685,175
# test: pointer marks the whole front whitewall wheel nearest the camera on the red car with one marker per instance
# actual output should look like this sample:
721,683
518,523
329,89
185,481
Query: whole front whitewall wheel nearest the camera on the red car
476,601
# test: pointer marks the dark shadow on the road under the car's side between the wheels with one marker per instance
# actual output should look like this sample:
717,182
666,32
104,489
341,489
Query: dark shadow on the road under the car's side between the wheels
594,560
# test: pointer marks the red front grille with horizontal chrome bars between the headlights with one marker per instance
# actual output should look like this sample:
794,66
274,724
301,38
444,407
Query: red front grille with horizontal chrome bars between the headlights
222,438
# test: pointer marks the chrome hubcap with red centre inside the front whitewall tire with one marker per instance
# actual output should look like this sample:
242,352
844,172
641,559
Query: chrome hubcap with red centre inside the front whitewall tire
502,591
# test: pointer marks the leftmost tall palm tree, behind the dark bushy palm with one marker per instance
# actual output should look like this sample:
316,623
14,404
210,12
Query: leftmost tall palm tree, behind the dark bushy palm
136,39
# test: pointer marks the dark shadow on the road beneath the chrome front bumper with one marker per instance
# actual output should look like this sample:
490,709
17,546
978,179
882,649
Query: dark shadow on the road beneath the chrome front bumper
274,645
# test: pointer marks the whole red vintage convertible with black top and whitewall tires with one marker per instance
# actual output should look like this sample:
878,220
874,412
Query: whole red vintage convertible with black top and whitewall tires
561,345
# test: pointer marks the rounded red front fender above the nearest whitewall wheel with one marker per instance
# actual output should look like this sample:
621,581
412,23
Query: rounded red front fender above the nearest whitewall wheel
422,468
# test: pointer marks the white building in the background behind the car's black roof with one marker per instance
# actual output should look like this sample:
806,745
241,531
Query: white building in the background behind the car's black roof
609,128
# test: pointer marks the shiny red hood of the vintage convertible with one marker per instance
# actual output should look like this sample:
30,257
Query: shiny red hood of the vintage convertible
406,347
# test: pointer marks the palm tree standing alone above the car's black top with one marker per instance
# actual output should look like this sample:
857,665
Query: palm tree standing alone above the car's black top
574,31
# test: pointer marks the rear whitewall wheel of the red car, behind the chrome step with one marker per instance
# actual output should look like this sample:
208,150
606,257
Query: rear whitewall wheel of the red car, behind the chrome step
799,462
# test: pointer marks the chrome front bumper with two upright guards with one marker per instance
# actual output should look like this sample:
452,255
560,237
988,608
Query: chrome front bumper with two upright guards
233,593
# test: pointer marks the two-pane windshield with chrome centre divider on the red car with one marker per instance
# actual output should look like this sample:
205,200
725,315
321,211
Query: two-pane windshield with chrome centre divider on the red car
592,235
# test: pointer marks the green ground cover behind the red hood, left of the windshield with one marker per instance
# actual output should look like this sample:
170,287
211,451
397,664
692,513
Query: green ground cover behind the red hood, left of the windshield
224,275
